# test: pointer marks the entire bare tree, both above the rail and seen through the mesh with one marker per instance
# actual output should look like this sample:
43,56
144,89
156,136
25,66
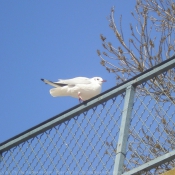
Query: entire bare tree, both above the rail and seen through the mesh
152,41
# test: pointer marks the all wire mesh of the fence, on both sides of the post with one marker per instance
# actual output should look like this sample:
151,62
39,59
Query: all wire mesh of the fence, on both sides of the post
87,143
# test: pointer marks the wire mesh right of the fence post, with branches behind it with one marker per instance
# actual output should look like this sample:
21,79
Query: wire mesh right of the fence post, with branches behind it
152,124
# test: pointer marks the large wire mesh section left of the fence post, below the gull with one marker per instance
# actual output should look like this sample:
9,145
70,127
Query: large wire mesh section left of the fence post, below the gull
77,146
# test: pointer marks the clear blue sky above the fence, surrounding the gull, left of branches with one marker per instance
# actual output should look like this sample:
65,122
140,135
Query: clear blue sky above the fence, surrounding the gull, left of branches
52,40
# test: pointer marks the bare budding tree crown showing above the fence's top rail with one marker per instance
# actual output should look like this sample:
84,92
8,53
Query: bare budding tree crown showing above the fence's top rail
143,50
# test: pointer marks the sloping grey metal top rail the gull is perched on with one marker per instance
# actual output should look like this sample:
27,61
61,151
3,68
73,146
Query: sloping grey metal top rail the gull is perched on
78,109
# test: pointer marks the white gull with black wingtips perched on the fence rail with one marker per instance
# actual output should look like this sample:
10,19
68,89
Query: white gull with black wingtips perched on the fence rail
80,87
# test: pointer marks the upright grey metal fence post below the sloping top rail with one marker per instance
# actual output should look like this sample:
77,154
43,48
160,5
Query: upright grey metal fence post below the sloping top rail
124,131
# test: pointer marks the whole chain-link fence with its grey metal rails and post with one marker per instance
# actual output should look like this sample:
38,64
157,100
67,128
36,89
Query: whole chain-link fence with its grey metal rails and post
122,131
